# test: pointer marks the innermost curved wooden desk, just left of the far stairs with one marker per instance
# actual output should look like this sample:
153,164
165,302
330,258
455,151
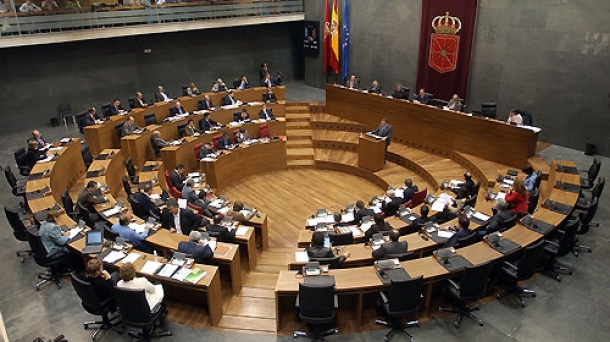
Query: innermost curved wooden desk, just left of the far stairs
234,166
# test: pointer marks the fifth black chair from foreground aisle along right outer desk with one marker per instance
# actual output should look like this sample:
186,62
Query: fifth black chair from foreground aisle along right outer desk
557,246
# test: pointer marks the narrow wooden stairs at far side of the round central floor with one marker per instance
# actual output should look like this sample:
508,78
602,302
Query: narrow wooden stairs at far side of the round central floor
300,151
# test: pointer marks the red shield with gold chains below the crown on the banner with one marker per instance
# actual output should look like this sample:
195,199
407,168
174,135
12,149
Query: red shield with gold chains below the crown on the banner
443,52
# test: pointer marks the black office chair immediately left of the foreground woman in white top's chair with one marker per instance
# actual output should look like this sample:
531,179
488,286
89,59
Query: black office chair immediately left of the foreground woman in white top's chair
94,306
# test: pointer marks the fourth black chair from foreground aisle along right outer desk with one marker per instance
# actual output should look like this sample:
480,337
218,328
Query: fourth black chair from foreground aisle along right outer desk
509,273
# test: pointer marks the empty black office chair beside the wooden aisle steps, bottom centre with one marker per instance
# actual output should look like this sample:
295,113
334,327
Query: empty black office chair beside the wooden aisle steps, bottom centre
316,304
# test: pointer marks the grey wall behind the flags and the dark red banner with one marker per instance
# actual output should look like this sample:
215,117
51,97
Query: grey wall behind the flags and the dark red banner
551,58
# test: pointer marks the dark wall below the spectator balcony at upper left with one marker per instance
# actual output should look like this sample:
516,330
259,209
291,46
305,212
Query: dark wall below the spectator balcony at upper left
36,79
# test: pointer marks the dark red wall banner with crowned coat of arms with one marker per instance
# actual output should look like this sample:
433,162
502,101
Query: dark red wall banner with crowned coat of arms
445,47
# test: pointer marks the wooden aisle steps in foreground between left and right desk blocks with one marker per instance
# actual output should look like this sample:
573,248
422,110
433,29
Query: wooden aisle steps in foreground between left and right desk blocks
253,308
